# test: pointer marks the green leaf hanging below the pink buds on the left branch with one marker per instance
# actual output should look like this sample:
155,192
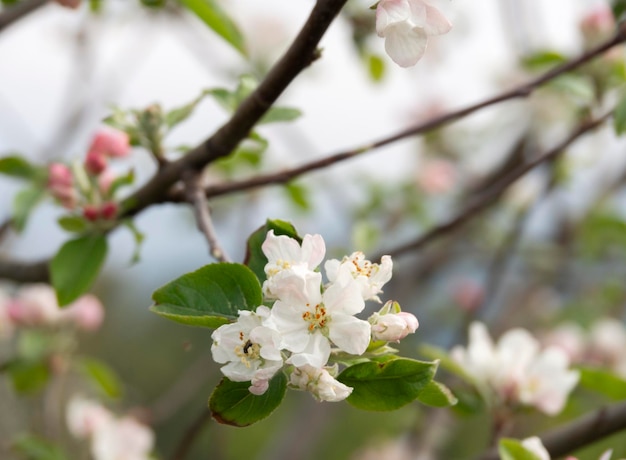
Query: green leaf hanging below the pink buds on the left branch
75,267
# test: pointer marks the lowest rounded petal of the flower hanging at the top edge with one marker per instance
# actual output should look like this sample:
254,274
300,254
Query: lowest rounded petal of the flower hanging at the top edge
404,44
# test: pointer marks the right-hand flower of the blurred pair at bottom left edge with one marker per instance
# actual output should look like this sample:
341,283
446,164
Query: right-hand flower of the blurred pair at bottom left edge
122,439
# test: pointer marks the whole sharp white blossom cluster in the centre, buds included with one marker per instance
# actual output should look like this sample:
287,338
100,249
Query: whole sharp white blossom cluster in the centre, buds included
309,320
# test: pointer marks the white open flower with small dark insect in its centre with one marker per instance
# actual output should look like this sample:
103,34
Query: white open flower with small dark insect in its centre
250,350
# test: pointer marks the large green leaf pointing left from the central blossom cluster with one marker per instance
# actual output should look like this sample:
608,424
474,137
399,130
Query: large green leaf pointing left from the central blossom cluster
210,296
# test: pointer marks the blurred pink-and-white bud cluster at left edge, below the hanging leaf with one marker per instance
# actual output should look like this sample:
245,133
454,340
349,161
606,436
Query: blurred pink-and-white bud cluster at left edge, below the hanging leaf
36,306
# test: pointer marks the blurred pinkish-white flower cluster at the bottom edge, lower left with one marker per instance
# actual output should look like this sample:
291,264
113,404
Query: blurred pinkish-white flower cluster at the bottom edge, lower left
111,438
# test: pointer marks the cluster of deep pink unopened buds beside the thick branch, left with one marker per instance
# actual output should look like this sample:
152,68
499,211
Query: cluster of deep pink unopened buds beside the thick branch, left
87,189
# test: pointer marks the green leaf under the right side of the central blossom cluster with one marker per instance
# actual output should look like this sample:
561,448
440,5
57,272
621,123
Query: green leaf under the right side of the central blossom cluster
388,385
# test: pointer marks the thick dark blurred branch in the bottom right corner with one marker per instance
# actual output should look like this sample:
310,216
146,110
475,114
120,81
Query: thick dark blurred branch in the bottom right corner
581,432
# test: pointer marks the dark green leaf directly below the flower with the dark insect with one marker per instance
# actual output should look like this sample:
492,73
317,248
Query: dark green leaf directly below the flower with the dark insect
232,403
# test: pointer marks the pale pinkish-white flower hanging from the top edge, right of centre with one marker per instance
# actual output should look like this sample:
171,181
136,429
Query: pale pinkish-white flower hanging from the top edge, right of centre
406,26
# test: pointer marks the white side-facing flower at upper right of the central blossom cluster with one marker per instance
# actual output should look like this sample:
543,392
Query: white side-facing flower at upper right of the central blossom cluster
370,277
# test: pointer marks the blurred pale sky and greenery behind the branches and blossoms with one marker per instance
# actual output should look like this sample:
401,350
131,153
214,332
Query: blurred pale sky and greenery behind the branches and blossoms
551,250
